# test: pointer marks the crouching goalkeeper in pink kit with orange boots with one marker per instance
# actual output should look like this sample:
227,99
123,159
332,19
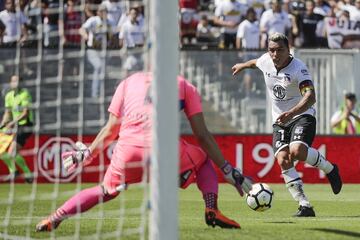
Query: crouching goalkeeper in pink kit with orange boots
130,119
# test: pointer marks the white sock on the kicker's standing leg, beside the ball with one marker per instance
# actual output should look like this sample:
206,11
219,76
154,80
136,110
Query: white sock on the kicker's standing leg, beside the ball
295,186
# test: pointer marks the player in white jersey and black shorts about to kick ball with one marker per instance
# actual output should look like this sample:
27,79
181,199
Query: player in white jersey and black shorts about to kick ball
292,95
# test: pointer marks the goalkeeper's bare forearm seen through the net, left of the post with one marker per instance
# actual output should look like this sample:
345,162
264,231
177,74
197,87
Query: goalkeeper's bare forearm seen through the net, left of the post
106,135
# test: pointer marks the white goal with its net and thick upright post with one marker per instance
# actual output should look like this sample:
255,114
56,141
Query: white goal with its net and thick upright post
71,83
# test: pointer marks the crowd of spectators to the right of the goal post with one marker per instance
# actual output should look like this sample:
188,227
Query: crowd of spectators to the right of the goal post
246,24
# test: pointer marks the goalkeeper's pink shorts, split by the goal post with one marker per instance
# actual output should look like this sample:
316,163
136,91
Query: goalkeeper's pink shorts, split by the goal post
128,163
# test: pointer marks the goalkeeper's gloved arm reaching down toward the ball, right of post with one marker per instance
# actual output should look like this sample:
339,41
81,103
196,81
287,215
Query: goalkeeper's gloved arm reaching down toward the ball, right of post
209,145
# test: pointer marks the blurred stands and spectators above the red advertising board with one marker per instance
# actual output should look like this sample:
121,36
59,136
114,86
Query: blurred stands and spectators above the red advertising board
73,53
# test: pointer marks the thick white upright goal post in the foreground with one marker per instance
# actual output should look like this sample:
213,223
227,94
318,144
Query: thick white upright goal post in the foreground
164,35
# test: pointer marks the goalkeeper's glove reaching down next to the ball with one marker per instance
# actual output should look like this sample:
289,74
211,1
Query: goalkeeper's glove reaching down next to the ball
234,177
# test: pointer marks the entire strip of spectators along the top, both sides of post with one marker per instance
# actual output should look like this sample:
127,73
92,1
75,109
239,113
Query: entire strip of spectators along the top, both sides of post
225,24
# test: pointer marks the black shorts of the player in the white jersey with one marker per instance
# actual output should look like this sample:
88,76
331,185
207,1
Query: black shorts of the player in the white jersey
301,129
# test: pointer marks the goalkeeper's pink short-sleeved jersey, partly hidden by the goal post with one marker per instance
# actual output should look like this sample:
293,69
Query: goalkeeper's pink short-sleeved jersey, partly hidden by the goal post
132,104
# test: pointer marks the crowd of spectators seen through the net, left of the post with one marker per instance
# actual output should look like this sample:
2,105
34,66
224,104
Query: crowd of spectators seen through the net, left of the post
107,23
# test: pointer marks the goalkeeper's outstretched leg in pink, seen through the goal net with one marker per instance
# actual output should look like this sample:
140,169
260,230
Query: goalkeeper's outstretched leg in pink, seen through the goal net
120,171
